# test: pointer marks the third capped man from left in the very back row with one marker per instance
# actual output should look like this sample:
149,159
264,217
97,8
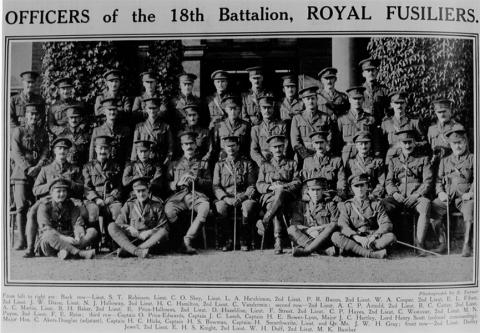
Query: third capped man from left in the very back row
113,81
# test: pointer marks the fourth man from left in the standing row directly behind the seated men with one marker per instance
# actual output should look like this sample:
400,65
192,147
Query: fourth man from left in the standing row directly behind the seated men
157,130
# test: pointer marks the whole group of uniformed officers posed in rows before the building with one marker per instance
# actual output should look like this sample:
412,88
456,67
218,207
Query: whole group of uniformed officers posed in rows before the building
315,170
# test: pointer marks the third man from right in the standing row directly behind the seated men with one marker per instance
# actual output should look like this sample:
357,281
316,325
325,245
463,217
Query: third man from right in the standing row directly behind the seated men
354,121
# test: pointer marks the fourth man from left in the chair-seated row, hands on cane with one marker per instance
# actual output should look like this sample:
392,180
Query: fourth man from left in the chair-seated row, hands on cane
185,175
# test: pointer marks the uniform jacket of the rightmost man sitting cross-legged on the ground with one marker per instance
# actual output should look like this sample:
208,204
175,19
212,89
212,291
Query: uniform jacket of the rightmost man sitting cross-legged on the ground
363,218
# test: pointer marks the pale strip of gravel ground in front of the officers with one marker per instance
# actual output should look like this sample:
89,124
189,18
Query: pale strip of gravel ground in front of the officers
251,267
